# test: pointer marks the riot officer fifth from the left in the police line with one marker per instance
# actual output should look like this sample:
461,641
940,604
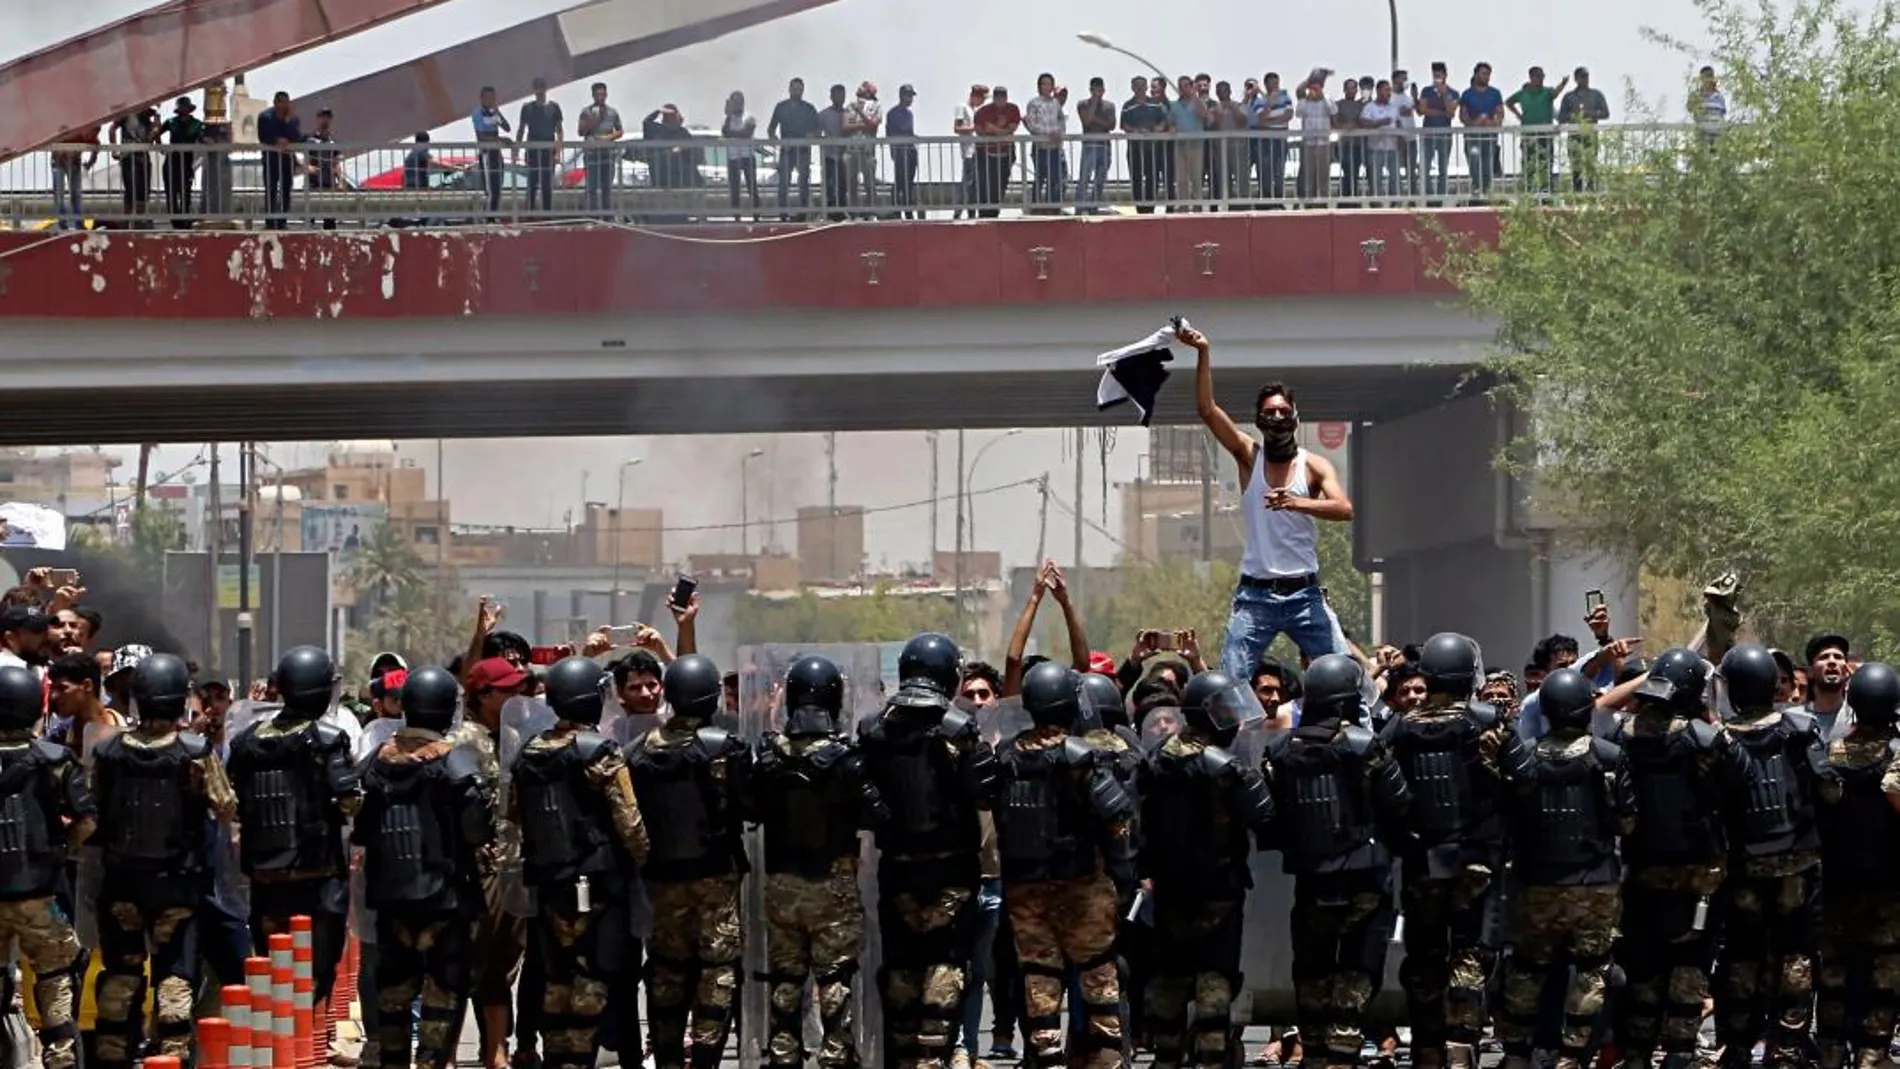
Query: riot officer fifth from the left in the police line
580,840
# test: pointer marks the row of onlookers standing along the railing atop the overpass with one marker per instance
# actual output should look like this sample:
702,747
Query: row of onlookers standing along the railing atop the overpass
1188,145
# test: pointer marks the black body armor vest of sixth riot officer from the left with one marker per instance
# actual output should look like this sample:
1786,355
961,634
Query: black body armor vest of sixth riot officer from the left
683,808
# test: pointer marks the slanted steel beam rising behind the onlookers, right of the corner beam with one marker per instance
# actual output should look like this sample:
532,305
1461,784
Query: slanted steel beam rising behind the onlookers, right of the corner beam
440,88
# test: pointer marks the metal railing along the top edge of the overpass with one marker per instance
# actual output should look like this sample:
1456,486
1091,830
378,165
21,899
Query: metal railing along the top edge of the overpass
698,179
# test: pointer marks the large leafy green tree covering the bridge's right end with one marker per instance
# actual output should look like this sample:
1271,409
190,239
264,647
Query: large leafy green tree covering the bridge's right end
1707,352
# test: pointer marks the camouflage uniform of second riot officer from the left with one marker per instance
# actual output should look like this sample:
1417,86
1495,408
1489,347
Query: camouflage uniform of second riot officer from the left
149,916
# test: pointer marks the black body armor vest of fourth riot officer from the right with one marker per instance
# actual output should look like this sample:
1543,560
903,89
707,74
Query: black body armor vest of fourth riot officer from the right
1567,829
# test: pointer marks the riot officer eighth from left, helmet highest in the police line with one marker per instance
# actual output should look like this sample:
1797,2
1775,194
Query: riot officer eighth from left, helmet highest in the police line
934,772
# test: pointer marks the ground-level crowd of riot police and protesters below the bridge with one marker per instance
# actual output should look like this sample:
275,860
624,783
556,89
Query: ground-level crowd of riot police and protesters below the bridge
1591,869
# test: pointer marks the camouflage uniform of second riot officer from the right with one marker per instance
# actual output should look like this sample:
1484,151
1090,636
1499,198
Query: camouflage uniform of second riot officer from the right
1772,912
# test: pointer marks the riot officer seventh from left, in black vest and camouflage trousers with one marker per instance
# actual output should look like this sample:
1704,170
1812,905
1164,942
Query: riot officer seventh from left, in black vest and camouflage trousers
812,798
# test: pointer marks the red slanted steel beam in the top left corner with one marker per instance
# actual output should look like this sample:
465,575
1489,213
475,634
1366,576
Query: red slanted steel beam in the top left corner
88,81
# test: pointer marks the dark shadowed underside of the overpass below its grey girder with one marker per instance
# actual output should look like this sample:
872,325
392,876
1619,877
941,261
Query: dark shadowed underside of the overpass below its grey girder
681,405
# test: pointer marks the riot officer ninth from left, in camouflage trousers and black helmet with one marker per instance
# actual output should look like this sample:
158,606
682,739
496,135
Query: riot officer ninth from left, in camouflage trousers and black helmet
1065,840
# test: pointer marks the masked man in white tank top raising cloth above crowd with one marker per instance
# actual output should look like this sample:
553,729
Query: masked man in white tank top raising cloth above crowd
1287,491
